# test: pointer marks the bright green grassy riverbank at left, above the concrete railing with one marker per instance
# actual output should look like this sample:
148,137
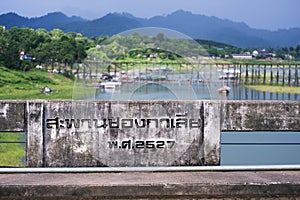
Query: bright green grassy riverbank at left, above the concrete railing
16,84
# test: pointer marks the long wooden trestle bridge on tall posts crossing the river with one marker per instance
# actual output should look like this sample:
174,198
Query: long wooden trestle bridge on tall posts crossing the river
274,74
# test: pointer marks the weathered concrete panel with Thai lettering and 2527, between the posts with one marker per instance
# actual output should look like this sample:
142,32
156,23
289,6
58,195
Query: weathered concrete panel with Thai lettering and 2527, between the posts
124,134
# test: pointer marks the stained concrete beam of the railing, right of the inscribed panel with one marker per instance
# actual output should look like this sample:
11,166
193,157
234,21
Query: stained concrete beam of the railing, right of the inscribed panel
261,116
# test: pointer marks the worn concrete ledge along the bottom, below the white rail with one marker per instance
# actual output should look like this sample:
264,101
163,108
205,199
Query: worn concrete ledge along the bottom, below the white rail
231,184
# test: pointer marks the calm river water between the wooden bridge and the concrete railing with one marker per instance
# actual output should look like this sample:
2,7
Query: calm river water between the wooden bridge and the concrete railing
159,91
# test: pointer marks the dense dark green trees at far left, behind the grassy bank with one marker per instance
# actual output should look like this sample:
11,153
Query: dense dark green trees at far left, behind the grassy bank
22,48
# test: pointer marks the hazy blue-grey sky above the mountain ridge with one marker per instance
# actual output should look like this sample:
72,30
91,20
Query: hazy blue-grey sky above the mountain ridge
262,14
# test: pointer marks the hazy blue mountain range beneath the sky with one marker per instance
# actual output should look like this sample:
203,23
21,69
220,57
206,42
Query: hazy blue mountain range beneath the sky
194,25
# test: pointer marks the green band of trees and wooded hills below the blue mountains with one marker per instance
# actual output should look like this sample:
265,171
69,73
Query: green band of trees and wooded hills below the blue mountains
24,48
